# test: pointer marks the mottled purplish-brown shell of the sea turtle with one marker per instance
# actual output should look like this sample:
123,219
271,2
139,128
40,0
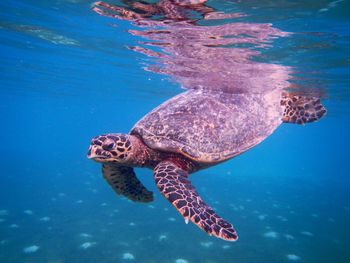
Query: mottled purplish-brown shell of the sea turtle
208,126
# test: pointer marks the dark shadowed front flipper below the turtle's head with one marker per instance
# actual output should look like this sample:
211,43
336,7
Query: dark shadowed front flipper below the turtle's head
124,181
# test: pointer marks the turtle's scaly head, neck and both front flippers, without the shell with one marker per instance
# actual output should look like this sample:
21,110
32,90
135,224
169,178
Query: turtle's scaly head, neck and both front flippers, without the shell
120,152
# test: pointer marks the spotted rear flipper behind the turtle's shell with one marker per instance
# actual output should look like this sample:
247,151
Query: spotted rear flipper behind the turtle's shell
301,109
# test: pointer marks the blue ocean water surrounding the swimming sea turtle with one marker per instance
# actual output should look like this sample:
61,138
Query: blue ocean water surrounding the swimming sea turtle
69,74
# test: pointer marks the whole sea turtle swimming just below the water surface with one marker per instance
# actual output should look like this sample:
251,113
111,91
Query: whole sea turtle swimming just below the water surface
192,131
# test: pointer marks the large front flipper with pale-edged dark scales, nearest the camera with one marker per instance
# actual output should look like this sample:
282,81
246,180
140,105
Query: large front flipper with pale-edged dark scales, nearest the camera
174,185
